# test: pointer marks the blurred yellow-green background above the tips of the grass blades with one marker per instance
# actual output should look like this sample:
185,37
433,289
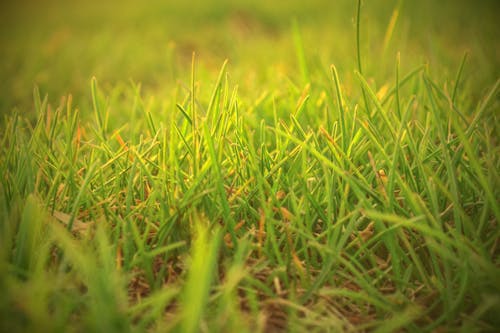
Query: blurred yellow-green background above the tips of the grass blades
60,45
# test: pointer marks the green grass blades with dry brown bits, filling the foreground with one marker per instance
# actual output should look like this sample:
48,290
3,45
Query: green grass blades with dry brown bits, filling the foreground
310,210
